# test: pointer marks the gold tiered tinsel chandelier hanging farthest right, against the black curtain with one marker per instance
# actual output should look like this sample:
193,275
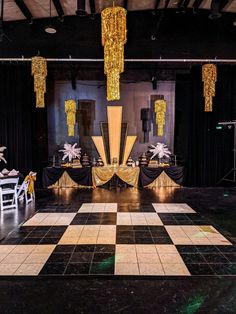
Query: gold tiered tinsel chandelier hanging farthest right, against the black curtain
209,77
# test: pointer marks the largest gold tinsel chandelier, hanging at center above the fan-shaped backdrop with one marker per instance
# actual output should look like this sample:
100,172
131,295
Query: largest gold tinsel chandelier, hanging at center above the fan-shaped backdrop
113,39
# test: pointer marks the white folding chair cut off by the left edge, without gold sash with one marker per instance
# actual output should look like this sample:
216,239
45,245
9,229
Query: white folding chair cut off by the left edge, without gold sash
8,193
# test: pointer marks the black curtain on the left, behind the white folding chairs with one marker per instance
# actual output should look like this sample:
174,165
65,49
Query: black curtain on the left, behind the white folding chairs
22,126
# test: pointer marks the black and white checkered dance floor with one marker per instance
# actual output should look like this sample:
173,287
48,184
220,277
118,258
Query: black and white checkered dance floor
118,239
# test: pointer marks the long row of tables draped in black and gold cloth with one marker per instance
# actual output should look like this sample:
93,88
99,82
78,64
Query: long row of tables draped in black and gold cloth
57,177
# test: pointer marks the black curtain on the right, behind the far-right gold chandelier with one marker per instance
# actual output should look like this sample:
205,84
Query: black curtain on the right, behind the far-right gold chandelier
207,153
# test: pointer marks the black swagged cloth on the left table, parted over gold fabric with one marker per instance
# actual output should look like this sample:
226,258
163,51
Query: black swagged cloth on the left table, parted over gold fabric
82,176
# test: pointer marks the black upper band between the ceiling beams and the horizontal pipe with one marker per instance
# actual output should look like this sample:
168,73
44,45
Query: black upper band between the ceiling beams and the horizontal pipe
189,35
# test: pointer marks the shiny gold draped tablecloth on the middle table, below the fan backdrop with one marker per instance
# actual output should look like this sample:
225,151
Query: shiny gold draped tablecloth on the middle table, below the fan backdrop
101,175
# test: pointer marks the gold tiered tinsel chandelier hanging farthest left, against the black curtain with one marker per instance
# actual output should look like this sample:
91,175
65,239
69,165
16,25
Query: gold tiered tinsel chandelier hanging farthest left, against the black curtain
39,71
